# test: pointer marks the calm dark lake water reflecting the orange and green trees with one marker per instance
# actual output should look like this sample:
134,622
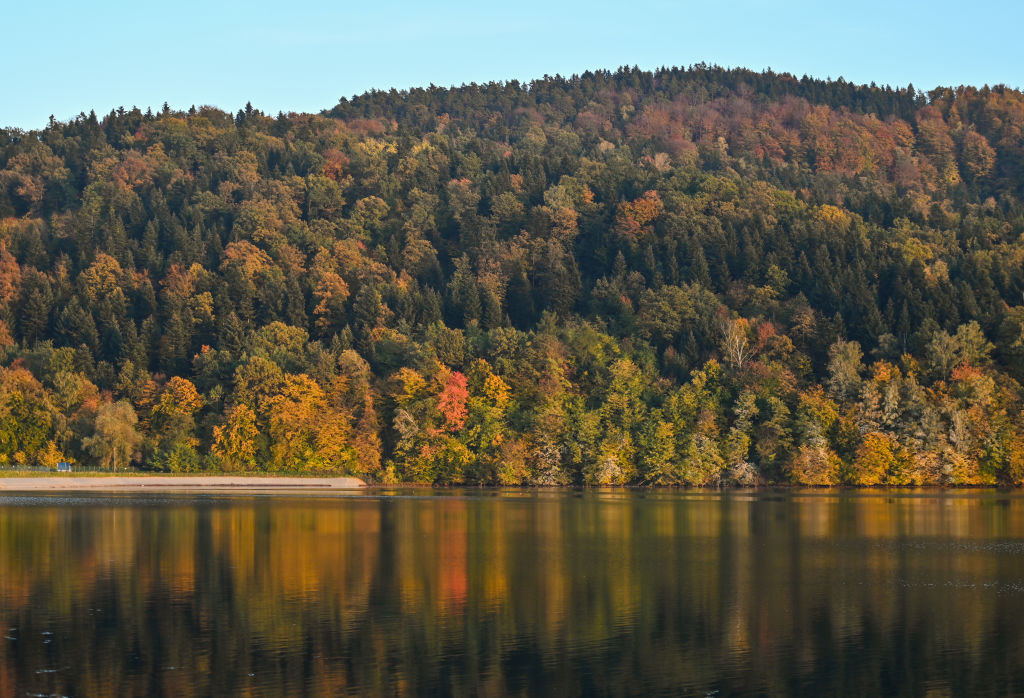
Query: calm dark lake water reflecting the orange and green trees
514,593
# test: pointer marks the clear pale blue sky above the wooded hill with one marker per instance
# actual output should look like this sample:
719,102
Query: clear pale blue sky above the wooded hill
65,58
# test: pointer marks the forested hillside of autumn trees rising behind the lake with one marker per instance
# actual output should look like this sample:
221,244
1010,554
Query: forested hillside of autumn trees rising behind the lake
689,277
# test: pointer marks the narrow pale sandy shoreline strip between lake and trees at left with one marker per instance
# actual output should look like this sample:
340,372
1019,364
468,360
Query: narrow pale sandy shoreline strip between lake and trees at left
202,483
